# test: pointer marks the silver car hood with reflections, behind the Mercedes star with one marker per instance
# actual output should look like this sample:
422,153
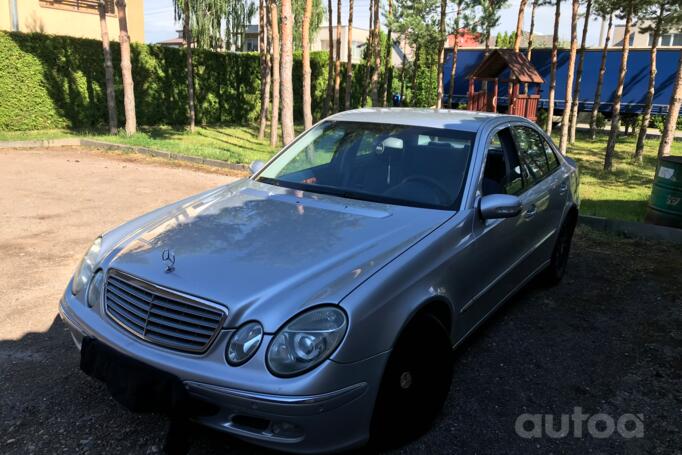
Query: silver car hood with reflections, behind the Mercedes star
267,252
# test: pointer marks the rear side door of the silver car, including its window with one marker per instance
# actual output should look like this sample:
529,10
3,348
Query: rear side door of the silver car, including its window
544,194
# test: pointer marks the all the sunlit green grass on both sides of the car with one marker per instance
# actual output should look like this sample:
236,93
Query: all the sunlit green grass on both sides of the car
623,194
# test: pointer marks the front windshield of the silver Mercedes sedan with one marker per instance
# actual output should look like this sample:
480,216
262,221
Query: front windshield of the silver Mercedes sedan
396,164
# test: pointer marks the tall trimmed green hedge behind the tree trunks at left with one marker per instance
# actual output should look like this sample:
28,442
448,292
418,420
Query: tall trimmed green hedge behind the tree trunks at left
58,82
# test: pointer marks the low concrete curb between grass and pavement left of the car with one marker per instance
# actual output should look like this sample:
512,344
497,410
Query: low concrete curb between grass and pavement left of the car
124,148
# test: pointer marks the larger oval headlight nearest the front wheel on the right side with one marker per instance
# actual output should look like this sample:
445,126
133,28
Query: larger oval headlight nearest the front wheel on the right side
305,342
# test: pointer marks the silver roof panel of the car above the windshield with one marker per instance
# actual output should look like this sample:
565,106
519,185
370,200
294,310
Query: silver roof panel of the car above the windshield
430,118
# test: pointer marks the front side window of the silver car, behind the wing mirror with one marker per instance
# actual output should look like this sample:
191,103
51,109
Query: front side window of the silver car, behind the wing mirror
503,171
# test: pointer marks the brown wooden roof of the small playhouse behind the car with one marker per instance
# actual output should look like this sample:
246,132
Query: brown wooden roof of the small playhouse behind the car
520,68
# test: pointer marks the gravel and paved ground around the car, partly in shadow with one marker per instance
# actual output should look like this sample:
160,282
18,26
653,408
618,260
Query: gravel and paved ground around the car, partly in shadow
607,340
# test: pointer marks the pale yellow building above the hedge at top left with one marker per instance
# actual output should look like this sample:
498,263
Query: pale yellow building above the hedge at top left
79,18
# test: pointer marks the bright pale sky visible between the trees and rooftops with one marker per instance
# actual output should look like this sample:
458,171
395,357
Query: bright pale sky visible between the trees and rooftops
160,24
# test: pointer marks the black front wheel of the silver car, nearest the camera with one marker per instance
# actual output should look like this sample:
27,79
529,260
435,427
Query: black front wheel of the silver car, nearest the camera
415,384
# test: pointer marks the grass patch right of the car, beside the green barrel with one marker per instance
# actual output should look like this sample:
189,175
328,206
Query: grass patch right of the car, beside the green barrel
624,193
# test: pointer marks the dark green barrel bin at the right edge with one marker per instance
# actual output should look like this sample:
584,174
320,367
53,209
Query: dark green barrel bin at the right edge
665,204
